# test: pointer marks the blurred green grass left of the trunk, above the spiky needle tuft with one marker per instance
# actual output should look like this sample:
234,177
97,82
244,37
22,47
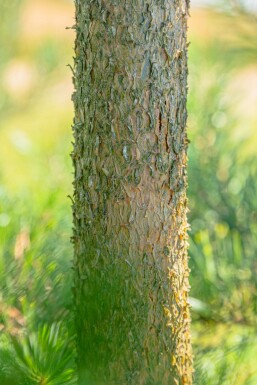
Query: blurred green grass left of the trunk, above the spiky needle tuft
35,273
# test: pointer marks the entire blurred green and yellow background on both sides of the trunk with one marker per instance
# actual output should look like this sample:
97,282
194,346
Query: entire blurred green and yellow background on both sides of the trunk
36,326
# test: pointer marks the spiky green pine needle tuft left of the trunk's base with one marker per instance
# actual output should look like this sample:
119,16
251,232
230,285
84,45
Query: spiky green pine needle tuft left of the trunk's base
43,357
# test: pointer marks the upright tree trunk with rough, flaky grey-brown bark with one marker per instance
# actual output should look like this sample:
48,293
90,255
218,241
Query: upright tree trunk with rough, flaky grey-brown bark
130,225
